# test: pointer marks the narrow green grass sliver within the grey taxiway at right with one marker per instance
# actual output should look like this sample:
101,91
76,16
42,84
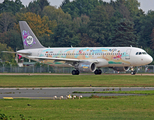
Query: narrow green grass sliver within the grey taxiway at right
146,92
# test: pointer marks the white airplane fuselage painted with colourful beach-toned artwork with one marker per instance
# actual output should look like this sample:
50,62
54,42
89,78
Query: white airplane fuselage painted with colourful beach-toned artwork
102,56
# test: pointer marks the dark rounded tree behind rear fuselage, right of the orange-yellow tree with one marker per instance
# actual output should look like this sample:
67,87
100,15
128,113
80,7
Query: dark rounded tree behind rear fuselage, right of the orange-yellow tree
64,35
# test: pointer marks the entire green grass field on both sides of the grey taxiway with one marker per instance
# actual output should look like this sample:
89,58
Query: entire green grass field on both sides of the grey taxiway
100,108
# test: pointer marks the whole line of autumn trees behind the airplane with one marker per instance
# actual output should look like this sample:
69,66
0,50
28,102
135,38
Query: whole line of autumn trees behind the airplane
79,23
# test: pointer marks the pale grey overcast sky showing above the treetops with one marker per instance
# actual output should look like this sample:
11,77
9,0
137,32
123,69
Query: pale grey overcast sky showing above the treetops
145,4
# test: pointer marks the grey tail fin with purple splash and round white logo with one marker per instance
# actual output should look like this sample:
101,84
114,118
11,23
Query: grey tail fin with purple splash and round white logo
30,41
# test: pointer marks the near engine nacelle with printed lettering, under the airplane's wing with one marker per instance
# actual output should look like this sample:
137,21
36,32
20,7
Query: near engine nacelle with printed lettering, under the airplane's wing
86,66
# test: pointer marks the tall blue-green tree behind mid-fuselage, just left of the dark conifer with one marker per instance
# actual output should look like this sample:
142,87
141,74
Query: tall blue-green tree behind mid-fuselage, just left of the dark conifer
99,25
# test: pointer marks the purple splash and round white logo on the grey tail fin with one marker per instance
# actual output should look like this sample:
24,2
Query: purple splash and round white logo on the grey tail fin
28,39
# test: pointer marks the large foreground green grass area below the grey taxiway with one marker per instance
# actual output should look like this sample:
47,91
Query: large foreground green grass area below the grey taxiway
113,108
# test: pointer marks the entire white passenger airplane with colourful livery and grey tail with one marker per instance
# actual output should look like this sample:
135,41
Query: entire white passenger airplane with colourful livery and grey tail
83,59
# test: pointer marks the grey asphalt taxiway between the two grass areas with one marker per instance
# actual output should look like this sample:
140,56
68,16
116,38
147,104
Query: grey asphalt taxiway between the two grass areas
50,93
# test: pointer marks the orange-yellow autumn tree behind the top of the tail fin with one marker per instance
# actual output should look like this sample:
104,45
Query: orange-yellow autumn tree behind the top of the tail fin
40,26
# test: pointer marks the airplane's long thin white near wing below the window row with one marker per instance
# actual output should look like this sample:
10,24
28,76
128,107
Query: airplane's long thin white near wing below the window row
56,59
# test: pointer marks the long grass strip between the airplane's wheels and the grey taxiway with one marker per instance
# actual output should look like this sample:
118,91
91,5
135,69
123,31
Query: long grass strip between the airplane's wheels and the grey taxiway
76,81
